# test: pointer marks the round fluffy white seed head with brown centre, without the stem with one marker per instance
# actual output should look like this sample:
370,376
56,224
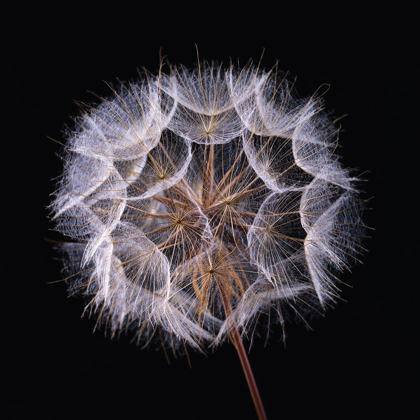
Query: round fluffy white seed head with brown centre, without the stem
202,199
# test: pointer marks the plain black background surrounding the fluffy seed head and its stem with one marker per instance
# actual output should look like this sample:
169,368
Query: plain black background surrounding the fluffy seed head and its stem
359,360
